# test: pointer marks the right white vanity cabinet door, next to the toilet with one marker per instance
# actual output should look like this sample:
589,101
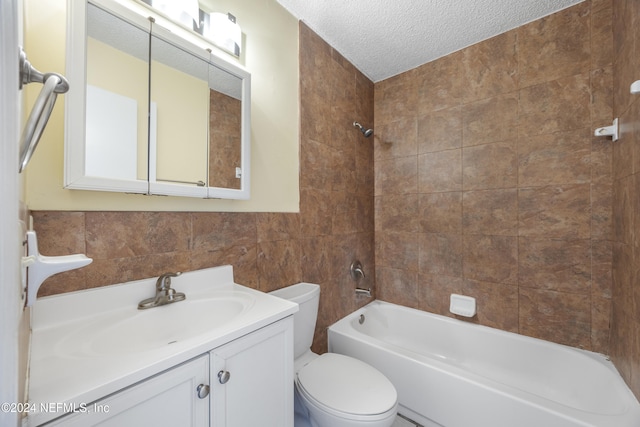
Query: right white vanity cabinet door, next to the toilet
252,379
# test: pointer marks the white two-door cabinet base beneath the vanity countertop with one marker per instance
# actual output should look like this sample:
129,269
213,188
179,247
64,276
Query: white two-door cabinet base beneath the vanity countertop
246,382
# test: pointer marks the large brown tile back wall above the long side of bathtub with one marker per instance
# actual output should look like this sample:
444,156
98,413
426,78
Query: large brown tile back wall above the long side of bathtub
488,181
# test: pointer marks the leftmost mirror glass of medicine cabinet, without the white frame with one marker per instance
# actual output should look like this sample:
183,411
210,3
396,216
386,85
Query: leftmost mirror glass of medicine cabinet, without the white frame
116,97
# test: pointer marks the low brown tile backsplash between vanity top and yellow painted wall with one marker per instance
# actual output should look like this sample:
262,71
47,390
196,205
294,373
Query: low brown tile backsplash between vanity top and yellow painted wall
129,246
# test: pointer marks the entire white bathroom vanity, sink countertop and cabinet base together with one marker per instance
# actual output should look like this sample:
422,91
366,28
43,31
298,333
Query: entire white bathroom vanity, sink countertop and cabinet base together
144,367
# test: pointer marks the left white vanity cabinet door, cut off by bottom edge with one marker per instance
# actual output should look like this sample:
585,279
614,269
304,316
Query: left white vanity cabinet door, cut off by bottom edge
169,399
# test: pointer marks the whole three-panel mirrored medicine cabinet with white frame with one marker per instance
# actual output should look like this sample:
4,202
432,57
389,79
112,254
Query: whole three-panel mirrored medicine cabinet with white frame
157,115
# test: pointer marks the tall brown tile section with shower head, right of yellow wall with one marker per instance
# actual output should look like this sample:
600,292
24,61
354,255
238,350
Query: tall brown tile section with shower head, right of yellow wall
336,178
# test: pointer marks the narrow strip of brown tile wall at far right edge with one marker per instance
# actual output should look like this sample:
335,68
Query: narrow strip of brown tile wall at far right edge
625,329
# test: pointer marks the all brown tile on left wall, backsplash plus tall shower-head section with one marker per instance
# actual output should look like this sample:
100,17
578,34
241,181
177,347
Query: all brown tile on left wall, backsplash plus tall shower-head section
268,250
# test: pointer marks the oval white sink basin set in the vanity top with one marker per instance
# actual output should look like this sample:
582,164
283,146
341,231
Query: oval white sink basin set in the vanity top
131,331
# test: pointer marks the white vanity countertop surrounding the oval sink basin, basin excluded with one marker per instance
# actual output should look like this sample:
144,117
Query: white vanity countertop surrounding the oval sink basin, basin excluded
63,373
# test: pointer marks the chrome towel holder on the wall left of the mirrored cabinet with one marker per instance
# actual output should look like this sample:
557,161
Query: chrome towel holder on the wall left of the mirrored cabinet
53,85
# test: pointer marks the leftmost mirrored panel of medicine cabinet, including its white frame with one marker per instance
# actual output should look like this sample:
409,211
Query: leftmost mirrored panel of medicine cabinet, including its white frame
106,140
